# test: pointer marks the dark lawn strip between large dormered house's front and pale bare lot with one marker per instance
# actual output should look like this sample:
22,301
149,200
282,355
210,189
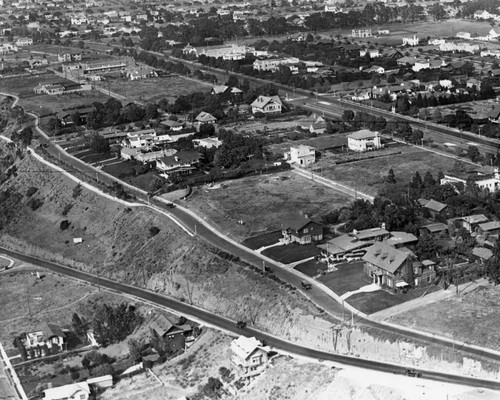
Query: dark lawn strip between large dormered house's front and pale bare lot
372,302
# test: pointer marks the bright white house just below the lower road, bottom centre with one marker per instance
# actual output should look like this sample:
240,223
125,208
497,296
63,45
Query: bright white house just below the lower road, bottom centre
249,356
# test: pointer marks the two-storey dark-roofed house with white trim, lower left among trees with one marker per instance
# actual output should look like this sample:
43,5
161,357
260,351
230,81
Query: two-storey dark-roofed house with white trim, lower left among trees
50,339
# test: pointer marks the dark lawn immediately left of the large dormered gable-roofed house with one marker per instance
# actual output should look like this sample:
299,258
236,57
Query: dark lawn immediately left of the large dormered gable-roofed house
347,278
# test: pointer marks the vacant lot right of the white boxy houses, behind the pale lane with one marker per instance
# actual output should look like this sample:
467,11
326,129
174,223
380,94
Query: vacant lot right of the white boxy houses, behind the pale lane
369,175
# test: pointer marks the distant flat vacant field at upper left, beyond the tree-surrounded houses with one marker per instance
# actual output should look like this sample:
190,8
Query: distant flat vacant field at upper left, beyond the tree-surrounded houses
154,89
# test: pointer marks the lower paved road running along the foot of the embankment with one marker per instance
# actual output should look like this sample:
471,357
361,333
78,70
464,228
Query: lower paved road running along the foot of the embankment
230,325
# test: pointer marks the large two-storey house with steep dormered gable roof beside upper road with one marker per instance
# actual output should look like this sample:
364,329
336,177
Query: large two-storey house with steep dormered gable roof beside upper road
388,267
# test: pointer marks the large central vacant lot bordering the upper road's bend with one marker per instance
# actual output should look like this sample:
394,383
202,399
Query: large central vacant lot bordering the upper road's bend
262,201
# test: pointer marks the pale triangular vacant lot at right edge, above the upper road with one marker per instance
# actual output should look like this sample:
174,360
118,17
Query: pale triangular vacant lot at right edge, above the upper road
472,317
